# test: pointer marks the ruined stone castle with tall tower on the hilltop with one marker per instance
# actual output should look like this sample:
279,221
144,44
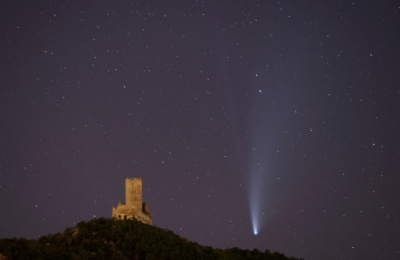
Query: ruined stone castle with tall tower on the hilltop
133,206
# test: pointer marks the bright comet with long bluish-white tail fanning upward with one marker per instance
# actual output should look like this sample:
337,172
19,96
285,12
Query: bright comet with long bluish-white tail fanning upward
261,145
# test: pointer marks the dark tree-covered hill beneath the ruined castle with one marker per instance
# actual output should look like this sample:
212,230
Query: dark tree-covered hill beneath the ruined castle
120,239
